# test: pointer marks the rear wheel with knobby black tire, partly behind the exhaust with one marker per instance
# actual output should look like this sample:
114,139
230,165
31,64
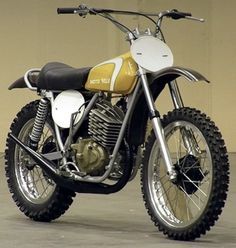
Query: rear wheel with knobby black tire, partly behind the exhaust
35,194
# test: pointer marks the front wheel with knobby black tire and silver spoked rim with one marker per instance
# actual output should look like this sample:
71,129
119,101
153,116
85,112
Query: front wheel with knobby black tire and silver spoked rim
188,207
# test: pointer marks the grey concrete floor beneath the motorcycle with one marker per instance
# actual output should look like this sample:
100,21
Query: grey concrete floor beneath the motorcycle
118,220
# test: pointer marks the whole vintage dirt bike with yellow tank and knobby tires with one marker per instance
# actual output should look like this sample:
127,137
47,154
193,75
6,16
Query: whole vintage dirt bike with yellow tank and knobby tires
87,134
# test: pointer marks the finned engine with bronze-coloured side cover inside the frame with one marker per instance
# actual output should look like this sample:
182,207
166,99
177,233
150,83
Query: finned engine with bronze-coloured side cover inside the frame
92,154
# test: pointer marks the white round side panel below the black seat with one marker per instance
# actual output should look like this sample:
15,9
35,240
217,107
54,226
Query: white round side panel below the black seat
65,104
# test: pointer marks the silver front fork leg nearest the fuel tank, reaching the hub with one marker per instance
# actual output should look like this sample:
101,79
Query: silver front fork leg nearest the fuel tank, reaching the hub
157,126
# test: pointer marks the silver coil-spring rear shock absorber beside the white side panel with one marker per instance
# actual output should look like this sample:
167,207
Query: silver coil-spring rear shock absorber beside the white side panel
39,122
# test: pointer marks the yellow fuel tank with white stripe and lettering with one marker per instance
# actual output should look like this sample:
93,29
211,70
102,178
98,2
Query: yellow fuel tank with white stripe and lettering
118,75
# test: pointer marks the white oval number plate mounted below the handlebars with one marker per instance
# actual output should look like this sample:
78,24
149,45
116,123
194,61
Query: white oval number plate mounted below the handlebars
151,53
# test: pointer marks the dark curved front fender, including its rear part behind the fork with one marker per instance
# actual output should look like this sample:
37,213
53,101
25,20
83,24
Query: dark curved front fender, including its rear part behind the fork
157,81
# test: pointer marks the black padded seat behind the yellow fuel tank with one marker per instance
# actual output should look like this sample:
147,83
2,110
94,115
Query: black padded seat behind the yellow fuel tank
59,76
